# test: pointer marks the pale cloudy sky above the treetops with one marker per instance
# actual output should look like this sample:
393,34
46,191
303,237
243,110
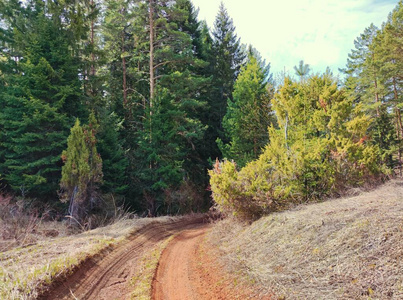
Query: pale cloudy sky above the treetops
320,32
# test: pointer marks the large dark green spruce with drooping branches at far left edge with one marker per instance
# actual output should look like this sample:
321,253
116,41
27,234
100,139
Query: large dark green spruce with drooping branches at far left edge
39,99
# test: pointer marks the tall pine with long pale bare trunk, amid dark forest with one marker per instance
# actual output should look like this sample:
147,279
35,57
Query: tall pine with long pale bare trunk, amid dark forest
162,87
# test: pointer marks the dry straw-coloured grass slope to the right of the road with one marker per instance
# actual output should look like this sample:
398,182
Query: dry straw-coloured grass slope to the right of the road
348,248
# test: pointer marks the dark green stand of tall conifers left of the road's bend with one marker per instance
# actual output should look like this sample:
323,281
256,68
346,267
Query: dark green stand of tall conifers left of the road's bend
149,74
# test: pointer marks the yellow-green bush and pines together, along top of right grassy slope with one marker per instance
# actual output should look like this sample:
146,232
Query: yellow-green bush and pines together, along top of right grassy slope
330,134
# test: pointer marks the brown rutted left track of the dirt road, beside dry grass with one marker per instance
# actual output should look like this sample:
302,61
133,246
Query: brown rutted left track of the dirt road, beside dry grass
109,278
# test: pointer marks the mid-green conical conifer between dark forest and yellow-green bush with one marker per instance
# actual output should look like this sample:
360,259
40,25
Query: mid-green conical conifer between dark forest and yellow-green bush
249,114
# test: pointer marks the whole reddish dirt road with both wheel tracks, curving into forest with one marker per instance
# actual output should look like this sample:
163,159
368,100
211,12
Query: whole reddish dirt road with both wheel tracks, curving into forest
186,269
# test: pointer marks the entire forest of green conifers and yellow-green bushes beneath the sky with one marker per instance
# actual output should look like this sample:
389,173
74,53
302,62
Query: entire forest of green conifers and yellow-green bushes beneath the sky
141,103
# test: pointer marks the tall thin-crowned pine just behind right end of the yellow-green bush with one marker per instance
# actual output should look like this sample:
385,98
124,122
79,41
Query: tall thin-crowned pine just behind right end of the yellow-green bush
367,84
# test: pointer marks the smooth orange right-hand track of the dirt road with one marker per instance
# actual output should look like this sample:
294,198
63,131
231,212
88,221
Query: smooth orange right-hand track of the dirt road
189,270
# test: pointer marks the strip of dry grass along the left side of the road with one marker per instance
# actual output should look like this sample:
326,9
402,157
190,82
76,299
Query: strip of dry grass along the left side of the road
25,271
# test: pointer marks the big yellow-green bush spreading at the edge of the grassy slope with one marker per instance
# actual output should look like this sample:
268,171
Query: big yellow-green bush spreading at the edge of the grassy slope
320,150
